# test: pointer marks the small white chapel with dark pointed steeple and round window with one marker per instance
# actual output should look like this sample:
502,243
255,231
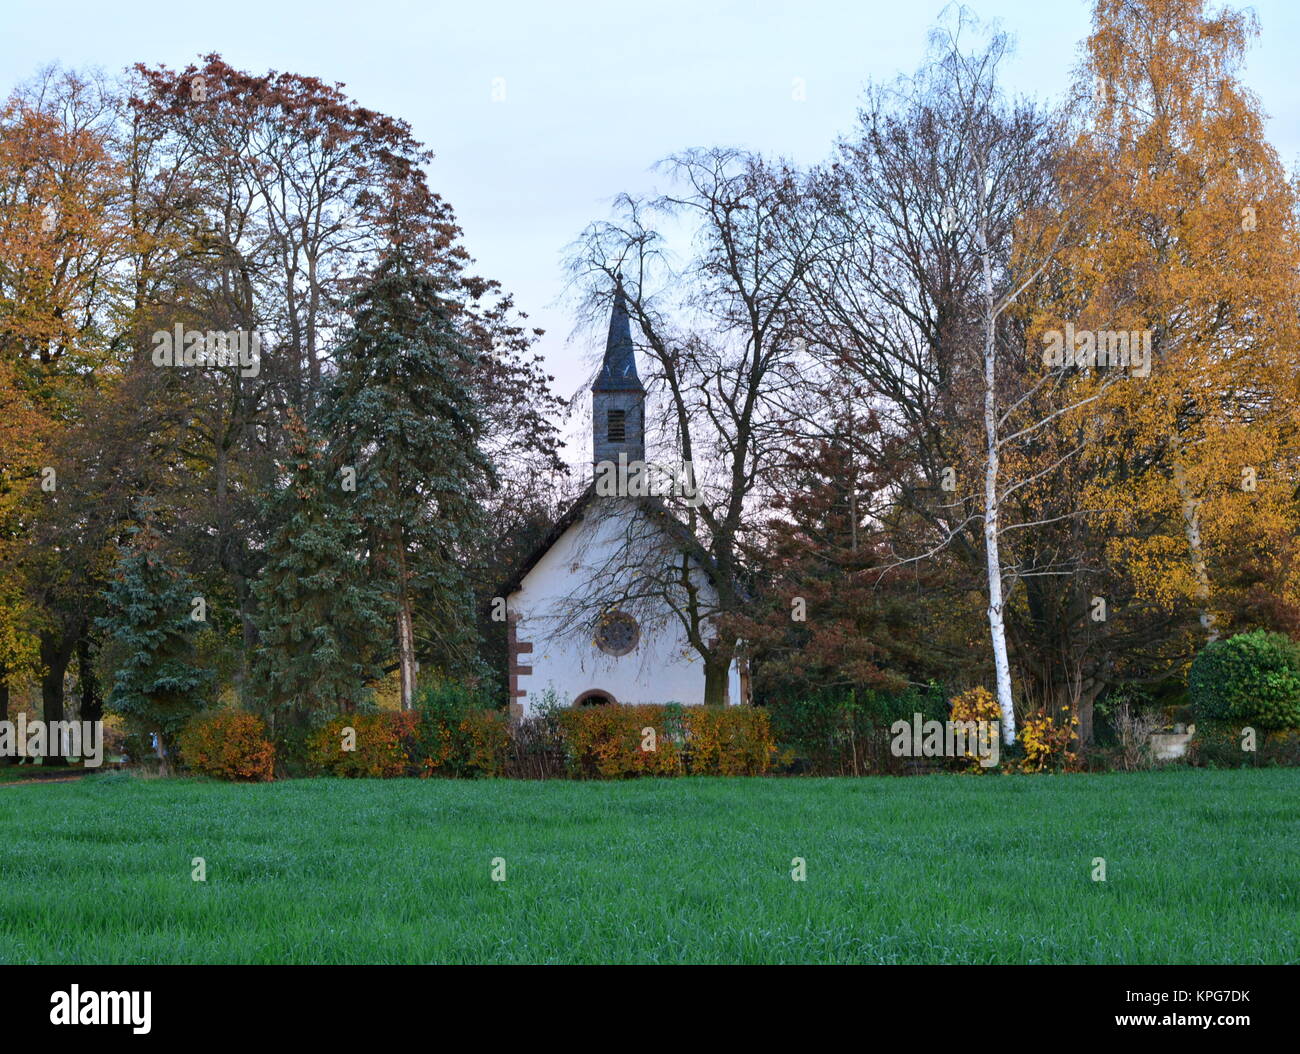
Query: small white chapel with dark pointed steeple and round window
605,610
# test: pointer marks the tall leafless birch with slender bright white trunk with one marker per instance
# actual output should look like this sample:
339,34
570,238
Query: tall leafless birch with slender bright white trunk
939,220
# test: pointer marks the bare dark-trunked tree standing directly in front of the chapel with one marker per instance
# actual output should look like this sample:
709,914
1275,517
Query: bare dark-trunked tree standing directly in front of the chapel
721,339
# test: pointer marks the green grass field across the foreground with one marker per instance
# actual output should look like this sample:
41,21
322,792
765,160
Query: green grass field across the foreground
1202,868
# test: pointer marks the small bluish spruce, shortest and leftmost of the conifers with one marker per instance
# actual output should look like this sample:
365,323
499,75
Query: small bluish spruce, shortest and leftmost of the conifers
159,684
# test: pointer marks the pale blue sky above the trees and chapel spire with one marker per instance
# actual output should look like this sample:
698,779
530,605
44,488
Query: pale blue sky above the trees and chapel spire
596,92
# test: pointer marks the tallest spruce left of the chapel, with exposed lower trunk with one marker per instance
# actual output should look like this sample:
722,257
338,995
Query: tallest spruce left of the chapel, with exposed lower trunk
404,415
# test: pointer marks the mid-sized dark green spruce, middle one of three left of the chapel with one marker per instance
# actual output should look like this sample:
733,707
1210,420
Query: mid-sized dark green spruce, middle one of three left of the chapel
322,621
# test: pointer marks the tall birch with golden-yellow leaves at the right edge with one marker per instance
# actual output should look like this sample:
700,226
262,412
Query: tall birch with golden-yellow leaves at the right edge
1191,245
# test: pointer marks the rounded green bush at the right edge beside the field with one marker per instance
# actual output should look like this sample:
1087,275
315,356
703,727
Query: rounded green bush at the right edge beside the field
1253,679
